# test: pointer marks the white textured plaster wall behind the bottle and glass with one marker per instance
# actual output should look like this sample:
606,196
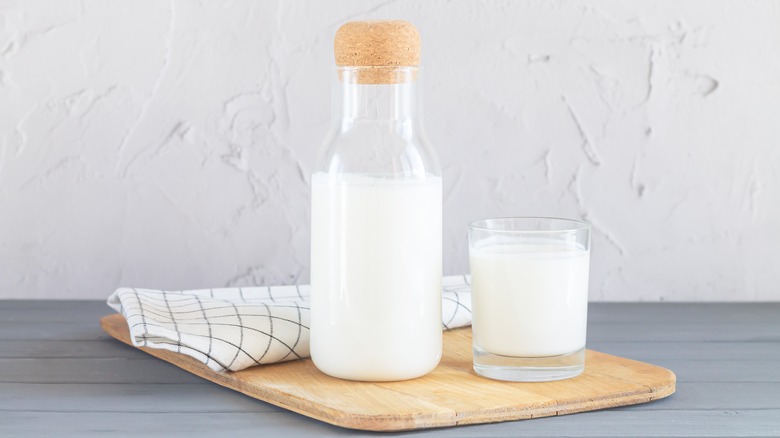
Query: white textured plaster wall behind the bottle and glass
169,144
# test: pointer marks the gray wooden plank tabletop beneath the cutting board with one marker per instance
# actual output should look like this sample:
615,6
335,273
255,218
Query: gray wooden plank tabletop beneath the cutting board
61,375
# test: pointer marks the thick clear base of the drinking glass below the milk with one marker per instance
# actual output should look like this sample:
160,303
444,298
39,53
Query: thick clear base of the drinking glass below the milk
529,369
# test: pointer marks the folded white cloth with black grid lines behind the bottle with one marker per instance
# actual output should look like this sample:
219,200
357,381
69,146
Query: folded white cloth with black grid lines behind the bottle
235,328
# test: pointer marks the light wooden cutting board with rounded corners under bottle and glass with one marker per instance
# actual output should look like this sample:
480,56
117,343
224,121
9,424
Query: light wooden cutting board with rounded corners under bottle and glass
451,395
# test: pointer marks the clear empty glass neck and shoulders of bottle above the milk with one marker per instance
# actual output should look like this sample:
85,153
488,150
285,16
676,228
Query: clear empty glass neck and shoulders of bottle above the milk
377,127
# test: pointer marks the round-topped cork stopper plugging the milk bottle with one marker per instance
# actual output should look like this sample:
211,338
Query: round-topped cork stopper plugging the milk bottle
378,47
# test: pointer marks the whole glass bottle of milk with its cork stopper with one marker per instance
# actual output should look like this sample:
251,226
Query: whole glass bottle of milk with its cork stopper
376,254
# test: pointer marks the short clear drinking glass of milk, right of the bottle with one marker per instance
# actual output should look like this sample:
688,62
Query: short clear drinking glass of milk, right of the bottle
529,282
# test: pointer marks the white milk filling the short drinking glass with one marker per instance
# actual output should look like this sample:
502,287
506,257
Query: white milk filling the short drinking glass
529,299
